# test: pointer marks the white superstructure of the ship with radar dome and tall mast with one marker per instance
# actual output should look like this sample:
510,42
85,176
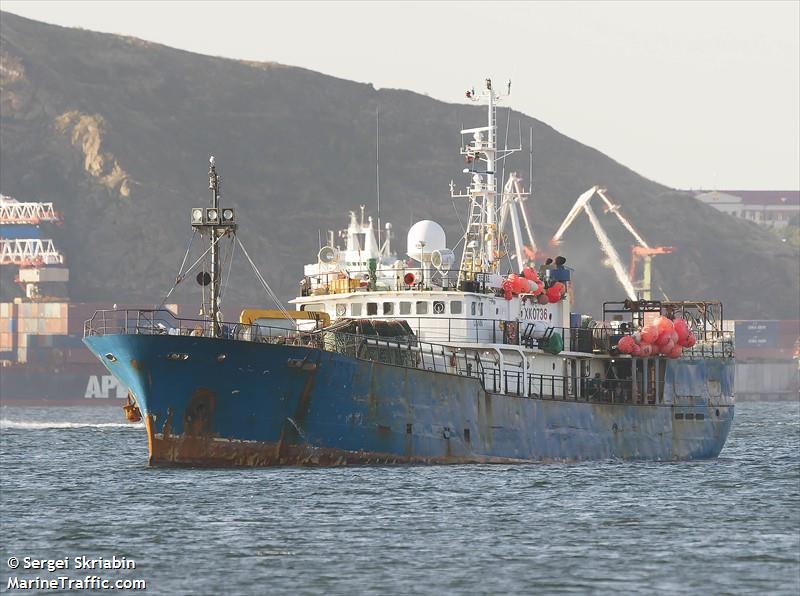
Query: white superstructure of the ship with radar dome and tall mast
357,279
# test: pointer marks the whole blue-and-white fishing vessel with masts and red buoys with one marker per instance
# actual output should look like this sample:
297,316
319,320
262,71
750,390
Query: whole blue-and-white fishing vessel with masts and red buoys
426,358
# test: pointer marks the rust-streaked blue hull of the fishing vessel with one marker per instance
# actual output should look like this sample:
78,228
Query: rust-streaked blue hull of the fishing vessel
238,403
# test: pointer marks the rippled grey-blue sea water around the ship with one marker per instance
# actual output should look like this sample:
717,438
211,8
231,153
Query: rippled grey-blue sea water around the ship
74,483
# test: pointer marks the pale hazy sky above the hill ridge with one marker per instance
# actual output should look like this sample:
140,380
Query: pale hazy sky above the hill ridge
689,94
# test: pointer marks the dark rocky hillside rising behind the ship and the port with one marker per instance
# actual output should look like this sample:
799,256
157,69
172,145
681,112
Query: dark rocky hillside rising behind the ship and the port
117,131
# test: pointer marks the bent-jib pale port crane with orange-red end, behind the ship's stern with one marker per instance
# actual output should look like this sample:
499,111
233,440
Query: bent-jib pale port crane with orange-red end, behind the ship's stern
641,251
